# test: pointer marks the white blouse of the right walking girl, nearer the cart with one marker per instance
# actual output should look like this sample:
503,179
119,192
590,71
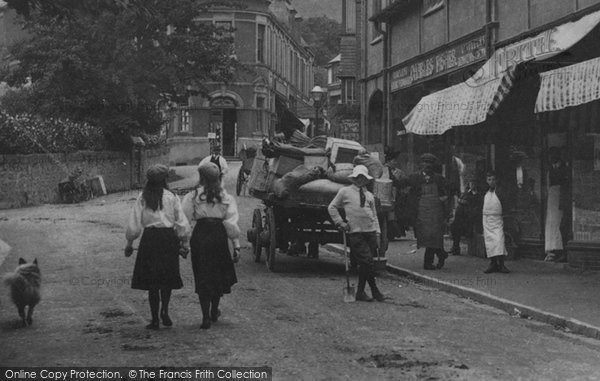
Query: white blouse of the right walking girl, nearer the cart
195,209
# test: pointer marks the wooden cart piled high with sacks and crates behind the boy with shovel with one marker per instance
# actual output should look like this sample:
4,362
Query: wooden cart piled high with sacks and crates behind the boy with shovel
296,185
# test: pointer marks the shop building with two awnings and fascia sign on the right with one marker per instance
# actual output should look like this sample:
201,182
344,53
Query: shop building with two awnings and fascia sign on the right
498,84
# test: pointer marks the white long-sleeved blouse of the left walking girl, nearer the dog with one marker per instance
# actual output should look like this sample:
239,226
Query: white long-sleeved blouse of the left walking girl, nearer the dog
171,215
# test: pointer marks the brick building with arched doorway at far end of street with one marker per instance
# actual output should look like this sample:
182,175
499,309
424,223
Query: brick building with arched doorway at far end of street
242,112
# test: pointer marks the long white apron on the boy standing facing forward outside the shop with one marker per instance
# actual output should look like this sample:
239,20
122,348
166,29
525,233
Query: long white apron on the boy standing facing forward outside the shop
493,226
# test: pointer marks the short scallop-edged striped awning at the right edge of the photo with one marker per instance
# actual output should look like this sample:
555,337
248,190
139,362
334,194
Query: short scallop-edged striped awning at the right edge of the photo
569,86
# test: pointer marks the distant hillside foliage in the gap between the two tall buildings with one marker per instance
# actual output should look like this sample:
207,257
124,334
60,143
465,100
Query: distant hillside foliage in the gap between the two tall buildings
323,35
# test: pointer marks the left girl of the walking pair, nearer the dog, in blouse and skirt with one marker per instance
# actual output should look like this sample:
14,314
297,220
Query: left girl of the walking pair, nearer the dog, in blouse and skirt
158,213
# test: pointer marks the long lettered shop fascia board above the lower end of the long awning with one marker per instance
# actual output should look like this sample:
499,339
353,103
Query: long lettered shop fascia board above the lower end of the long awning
449,59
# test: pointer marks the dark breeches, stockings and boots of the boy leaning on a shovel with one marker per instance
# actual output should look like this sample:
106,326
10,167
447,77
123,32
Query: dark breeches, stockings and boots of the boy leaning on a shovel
362,248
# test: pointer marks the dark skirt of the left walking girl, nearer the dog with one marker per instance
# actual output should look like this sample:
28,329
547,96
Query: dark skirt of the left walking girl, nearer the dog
157,261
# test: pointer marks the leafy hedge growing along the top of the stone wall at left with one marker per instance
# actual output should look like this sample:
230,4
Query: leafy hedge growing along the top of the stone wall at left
27,134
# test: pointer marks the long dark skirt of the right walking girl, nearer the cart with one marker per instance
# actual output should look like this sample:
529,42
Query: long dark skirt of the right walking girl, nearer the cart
214,272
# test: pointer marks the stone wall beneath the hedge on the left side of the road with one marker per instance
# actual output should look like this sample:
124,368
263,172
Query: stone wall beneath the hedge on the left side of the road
27,180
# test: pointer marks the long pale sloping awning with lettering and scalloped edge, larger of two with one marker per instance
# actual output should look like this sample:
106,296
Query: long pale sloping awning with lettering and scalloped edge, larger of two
470,102
